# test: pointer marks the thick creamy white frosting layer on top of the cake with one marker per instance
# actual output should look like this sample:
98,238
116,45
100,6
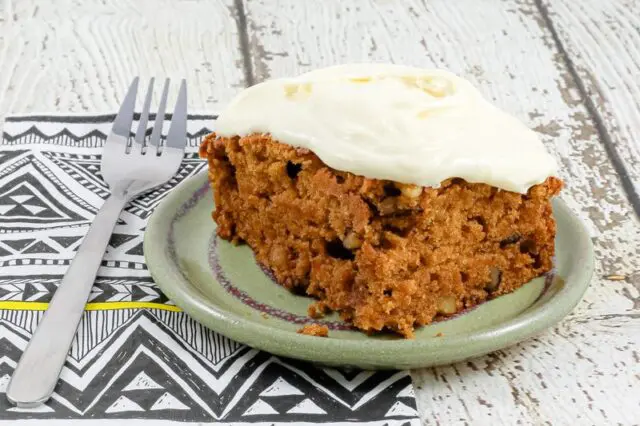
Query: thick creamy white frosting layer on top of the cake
394,122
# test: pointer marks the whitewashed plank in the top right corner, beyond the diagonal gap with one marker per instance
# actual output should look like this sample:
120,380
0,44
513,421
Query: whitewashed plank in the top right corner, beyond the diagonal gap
602,40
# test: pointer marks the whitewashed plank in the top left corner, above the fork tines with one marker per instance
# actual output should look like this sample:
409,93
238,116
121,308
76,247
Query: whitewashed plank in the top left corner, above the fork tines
80,56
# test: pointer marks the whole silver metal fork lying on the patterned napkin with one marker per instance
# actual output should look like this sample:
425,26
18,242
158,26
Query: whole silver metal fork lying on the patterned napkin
129,167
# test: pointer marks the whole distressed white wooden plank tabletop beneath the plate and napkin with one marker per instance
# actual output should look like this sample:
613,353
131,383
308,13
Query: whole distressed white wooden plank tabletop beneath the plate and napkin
570,69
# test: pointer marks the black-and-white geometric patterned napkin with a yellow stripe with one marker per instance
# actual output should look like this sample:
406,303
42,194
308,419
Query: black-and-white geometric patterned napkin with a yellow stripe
137,356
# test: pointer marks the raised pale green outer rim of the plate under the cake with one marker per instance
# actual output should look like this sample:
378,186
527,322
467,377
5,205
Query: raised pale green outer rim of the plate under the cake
404,353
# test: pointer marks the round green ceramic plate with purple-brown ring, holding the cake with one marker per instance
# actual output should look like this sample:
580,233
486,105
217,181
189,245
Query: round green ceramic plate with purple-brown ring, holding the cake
222,287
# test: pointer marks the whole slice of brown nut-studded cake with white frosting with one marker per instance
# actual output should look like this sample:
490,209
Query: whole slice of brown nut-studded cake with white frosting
393,195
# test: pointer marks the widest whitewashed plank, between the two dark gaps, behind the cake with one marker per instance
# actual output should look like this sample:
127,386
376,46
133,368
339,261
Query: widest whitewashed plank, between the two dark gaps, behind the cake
584,370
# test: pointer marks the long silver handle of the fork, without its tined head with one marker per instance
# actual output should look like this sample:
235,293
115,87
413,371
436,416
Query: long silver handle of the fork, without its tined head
39,367
